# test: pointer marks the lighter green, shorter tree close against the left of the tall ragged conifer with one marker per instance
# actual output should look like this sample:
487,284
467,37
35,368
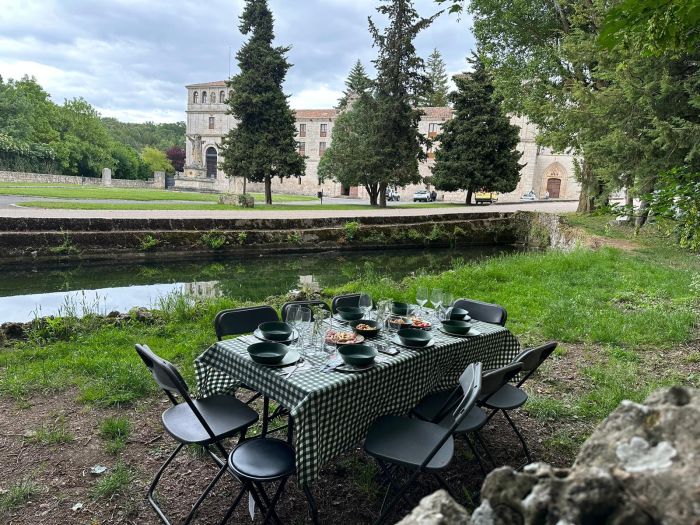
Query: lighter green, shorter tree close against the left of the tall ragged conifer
351,159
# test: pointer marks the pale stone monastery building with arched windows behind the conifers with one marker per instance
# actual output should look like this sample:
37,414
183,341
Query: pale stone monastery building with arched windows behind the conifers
207,123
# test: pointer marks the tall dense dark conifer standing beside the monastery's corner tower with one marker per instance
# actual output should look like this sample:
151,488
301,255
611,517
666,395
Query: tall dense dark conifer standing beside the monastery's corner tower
263,145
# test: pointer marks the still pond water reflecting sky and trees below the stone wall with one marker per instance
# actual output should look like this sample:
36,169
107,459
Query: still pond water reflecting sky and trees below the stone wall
26,293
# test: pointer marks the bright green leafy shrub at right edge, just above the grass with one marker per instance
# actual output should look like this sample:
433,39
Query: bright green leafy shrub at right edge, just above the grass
678,198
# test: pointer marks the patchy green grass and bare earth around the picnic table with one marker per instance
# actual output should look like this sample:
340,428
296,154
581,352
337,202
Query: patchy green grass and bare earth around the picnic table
626,320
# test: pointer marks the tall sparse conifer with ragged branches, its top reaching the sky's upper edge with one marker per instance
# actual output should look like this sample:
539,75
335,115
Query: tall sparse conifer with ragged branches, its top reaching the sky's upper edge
397,144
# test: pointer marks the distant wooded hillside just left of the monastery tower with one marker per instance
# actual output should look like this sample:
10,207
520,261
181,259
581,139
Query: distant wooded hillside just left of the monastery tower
138,136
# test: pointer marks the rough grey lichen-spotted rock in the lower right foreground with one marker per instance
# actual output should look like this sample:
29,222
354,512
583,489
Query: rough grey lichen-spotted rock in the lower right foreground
640,467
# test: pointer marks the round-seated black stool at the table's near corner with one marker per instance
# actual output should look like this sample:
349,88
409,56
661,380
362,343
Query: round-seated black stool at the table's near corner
256,462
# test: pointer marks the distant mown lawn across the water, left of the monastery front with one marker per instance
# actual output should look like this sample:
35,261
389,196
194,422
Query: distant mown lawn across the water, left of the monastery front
71,191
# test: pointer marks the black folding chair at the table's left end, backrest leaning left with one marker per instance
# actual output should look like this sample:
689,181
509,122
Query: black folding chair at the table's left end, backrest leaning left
203,422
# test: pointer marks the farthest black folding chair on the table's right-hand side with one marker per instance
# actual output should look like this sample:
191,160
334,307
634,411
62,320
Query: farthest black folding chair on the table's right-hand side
509,396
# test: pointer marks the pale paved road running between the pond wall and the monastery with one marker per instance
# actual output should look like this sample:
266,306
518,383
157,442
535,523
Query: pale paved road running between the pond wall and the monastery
9,209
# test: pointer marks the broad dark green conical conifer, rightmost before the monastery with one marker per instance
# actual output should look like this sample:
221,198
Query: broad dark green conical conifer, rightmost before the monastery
478,145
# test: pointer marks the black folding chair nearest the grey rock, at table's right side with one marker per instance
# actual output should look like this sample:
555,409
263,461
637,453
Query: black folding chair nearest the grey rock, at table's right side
419,446
